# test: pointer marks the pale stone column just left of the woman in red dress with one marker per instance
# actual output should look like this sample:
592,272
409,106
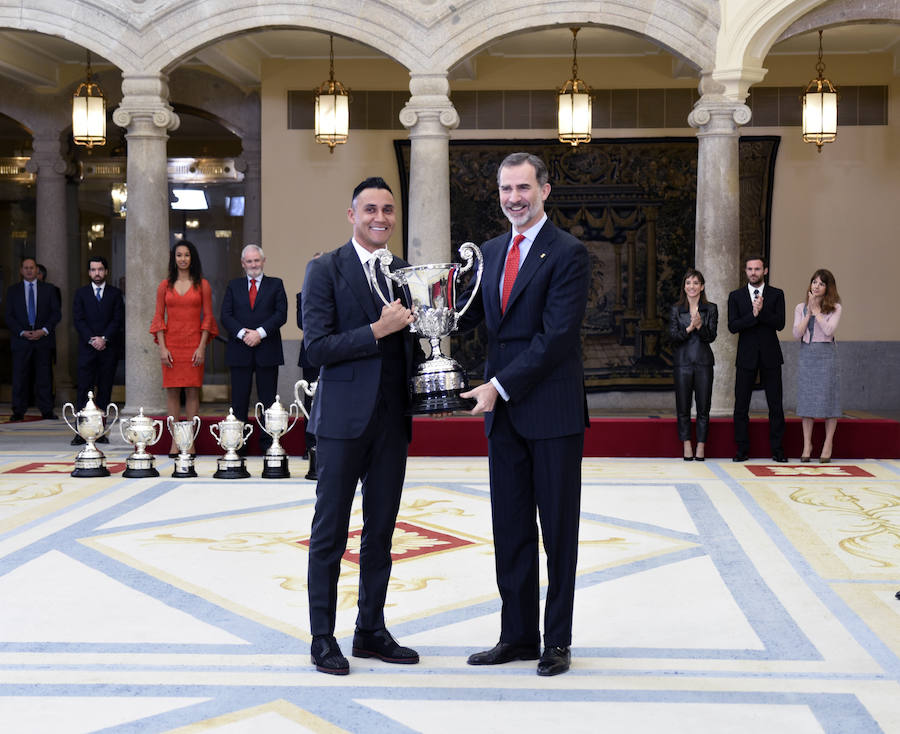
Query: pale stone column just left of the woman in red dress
147,116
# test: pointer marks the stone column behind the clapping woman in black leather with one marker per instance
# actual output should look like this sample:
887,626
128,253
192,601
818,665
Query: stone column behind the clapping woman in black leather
717,243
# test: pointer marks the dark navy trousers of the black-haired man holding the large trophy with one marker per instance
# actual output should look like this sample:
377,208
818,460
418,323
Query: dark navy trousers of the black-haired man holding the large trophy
378,458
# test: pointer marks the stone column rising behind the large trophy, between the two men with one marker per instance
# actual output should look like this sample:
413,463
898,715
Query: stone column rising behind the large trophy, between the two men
430,116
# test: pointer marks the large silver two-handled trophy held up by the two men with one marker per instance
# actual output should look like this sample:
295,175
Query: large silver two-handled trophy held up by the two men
431,293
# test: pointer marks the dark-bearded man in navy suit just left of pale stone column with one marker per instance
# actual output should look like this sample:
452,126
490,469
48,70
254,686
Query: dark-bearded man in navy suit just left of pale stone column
98,315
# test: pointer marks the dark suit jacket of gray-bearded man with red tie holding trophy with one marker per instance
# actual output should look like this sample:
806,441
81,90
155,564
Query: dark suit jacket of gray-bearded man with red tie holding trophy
534,348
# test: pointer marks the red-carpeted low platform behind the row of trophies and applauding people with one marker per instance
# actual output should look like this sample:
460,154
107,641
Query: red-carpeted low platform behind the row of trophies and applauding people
856,438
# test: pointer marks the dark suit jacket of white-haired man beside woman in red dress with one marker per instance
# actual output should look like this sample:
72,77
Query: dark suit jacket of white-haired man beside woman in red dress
269,312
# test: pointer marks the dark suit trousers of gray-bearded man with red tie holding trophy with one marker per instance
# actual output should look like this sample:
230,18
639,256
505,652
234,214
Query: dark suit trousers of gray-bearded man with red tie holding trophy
546,474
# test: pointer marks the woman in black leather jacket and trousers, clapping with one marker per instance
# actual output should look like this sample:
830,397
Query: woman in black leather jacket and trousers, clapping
693,322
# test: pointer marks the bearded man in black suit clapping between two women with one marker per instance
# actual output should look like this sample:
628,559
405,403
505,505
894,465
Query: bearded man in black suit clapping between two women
756,314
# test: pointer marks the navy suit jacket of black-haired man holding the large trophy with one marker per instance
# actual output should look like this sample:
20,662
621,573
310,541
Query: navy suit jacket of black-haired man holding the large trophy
338,309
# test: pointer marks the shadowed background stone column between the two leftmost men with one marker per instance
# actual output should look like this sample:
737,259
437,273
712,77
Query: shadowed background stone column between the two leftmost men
51,250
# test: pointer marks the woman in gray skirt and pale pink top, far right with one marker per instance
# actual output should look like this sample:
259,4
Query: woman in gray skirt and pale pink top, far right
818,384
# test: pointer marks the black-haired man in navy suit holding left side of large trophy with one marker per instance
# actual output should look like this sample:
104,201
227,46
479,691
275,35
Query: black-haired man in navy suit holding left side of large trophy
365,353
